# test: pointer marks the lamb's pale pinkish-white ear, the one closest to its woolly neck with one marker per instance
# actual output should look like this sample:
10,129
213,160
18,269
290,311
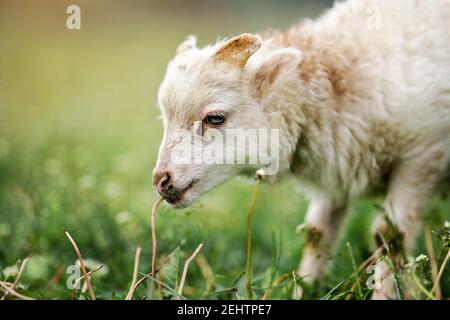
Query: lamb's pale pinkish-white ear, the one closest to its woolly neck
267,73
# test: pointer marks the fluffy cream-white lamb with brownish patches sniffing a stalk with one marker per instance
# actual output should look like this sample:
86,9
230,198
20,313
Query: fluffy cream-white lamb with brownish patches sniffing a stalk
361,100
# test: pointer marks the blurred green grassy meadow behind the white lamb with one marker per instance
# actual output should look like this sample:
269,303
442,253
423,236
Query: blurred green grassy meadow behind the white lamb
79,135
